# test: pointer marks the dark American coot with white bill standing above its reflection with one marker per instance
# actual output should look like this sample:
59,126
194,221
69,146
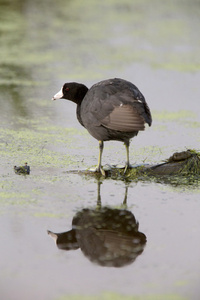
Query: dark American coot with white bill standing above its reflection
112,109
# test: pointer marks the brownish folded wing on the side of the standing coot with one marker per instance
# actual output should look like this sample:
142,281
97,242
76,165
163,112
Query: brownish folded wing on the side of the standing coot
124,118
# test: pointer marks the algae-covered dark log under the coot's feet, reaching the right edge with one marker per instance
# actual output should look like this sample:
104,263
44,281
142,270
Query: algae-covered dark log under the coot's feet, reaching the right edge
186,176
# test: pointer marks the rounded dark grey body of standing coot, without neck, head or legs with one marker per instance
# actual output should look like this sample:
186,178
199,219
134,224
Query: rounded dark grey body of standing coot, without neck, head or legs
117,105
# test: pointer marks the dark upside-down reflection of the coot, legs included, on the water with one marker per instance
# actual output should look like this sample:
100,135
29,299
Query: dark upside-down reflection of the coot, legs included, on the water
107,236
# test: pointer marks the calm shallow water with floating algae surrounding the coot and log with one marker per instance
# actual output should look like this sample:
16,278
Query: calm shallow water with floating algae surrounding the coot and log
43,44
